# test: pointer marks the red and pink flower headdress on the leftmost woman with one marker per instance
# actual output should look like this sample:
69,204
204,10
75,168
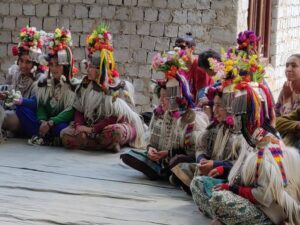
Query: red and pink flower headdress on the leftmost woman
29,40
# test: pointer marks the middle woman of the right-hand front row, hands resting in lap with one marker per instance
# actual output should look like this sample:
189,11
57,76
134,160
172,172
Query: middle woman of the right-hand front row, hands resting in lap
218,147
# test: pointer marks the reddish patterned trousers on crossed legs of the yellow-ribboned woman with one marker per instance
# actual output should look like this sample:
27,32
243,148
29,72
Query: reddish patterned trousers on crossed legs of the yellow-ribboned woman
120,133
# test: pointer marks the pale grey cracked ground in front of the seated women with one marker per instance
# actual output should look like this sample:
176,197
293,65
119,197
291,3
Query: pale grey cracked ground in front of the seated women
43,185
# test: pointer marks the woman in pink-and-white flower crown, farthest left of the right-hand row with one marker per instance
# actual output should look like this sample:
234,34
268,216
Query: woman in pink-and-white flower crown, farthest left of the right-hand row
174,127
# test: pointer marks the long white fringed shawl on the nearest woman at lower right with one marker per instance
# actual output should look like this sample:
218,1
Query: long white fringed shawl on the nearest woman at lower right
273,189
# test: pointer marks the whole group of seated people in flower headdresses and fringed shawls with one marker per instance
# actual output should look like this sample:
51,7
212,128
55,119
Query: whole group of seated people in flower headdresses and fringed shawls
213,134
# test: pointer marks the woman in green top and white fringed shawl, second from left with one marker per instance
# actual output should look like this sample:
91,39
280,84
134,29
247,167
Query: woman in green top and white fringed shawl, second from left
55,96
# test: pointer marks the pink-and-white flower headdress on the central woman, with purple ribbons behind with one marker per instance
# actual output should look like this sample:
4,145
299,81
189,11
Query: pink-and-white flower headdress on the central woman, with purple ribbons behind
173,65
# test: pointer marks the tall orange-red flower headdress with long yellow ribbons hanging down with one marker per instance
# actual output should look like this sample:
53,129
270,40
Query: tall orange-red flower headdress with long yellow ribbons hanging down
100,52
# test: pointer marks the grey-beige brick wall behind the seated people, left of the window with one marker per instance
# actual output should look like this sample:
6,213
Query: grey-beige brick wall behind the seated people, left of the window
140,28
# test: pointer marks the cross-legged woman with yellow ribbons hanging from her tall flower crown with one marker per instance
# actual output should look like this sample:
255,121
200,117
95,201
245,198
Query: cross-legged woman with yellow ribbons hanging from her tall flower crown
104,117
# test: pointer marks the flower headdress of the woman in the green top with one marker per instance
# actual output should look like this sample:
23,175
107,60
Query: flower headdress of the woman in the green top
59,44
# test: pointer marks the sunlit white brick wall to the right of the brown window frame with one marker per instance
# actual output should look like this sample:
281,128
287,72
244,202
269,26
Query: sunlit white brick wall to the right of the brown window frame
285,38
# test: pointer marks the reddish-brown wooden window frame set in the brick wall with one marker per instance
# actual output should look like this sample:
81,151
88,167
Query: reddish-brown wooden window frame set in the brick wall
259,20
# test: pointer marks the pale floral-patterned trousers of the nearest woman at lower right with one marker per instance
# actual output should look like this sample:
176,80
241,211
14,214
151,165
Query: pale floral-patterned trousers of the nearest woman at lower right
227,207
